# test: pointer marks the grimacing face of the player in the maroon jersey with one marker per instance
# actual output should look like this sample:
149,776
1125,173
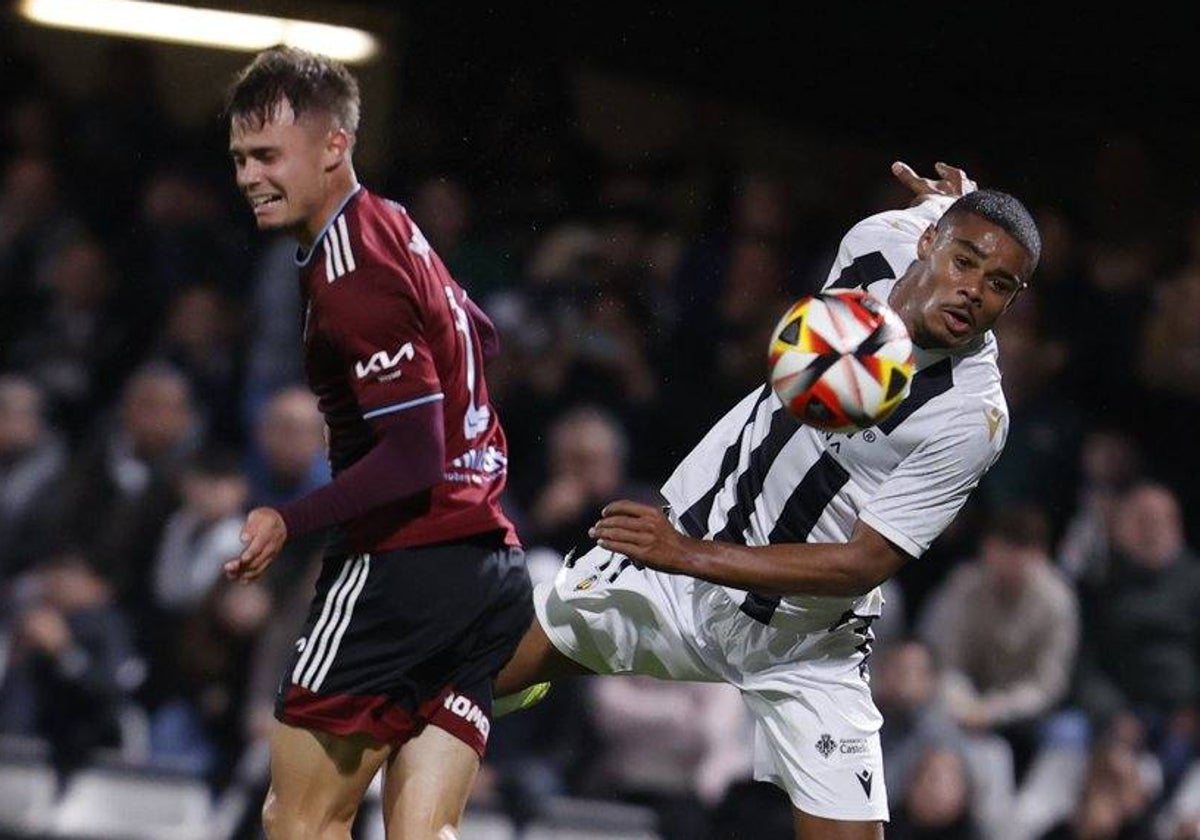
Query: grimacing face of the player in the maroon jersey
281,169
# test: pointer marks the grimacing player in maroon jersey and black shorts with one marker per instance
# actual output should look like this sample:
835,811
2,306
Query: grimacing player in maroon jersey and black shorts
424,592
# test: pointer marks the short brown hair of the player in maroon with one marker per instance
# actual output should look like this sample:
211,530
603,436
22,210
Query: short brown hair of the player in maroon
309,82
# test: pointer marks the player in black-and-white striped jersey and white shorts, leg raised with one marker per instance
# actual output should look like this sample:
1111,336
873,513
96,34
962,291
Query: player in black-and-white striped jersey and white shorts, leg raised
764,569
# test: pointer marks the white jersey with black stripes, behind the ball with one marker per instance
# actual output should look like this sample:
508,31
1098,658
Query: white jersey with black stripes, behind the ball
759,477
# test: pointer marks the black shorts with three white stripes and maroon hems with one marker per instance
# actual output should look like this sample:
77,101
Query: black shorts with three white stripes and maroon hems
401,640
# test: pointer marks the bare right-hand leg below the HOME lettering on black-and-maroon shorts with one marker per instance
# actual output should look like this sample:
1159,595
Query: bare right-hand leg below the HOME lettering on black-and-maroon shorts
427,785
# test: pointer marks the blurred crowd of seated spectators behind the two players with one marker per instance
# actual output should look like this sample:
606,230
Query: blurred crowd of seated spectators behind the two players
1039,670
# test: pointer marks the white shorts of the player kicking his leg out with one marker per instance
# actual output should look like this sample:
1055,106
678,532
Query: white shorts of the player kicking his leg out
817,728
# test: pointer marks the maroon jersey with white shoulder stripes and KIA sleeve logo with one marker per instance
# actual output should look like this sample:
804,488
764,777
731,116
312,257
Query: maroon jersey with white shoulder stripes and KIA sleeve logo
388,329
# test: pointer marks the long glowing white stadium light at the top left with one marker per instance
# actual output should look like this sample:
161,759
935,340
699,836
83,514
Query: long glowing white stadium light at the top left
201,27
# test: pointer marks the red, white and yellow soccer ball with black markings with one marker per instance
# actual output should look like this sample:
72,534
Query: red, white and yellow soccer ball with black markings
841,361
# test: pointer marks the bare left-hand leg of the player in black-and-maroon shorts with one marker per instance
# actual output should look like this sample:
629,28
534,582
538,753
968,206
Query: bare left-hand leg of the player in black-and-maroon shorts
317,781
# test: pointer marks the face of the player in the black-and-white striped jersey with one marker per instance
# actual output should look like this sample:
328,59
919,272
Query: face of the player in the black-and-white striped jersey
973,272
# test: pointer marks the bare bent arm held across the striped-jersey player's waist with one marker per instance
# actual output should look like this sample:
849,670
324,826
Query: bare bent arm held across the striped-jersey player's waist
842,569
